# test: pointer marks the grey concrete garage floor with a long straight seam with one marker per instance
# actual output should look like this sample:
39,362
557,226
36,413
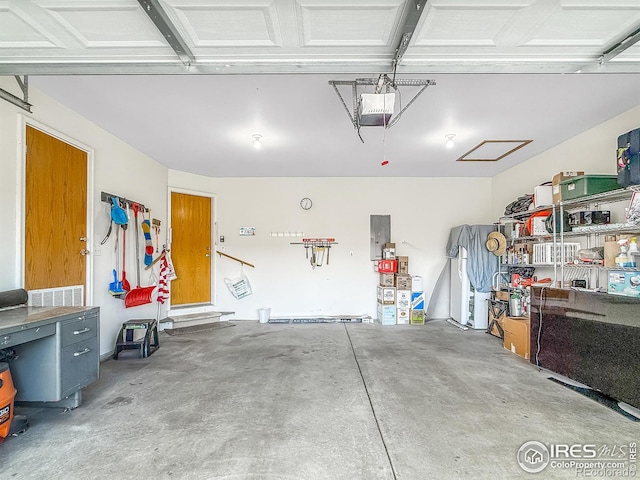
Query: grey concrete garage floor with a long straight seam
320,401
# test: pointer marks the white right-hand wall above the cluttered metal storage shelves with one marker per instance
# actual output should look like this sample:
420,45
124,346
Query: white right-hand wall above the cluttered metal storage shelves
592,152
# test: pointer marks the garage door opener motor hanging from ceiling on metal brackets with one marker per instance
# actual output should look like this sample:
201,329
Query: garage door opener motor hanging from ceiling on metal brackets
374,100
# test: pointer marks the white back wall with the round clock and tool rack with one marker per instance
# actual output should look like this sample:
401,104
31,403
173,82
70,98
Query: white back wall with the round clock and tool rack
422,212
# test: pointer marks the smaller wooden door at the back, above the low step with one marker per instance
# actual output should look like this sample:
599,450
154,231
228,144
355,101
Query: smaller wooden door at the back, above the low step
191,248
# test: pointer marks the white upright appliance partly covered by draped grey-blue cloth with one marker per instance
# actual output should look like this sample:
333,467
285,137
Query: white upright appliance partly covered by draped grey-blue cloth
467,306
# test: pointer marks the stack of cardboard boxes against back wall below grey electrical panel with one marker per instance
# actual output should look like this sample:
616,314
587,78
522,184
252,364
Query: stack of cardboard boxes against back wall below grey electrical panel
400,296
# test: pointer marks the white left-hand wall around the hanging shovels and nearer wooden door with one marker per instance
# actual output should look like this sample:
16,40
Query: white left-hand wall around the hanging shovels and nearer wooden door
118,169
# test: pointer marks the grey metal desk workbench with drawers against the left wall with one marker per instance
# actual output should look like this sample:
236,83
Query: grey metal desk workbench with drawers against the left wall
57,353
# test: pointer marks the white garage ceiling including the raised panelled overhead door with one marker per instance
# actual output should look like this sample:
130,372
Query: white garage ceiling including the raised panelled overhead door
190,81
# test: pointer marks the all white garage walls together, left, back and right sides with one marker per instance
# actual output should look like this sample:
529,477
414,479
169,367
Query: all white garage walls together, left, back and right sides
422,212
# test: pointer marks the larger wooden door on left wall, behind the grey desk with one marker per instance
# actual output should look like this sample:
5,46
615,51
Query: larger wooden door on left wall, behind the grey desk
55,212
